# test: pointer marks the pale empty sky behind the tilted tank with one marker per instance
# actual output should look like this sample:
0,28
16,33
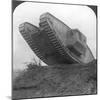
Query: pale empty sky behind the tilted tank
75,16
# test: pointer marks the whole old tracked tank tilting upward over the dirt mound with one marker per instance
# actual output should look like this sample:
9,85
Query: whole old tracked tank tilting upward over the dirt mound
56,43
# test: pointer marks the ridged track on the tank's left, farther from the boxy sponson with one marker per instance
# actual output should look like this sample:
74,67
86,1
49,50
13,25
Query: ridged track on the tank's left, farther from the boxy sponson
30,42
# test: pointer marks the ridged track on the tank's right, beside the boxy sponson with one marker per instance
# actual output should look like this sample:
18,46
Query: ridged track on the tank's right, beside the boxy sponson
44,25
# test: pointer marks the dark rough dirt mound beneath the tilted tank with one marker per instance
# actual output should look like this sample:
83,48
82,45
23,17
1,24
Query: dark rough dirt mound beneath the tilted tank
56,80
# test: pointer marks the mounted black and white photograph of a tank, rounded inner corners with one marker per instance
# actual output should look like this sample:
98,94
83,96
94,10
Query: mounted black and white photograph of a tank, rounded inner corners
54,49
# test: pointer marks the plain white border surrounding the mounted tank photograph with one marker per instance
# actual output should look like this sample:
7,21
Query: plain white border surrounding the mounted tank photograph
5,50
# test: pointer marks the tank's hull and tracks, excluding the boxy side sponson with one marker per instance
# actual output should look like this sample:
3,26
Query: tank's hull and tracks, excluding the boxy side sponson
49,41
